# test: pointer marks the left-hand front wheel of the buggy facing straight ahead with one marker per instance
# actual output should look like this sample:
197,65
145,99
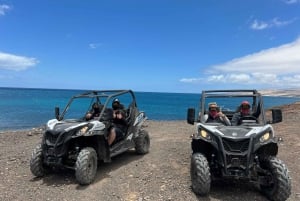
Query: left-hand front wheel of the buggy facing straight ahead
200,174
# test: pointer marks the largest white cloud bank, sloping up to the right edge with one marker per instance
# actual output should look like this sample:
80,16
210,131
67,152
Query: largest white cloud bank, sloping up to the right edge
276,67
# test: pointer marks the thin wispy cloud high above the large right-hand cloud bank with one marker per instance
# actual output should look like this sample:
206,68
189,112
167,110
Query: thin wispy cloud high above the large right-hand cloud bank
275,22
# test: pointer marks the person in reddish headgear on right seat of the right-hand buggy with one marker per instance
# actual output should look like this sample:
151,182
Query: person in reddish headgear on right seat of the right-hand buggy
244,110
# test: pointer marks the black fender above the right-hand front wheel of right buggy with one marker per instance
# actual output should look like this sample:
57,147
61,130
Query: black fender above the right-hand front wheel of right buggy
271,148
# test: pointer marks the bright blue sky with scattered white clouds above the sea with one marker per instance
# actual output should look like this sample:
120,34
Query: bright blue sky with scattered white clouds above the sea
150,45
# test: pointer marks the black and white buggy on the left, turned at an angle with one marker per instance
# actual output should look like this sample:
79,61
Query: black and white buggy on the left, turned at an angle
70,141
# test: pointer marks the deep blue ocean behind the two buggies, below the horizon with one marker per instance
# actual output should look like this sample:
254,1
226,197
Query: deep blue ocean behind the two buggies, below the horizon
24,108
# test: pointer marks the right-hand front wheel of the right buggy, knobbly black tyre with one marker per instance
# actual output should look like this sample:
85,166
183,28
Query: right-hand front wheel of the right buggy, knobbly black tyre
279,183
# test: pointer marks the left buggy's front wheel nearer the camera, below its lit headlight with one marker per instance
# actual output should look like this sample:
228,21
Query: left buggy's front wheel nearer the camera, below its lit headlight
86,166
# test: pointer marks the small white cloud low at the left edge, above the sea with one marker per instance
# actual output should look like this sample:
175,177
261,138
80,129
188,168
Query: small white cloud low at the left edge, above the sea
16,63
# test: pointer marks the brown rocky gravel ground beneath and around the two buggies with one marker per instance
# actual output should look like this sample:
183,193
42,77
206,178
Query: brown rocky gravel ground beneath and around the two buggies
162,174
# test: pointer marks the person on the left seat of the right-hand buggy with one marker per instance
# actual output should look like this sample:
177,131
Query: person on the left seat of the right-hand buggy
215,115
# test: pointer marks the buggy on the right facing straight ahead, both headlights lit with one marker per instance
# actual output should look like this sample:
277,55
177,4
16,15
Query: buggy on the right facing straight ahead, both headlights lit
246,152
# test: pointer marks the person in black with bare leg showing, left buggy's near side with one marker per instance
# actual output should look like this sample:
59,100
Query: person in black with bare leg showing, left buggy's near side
119,124
